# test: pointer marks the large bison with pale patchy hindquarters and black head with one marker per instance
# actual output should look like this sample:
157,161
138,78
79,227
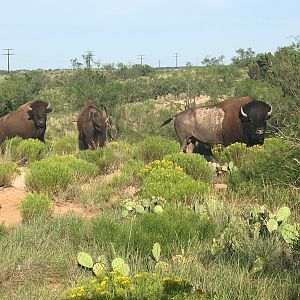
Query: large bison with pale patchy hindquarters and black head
233,120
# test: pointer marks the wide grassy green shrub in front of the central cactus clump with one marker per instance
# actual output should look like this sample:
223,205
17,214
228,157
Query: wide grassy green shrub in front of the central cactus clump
172,226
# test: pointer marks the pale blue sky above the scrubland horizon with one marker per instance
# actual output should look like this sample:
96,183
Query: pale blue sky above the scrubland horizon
49,34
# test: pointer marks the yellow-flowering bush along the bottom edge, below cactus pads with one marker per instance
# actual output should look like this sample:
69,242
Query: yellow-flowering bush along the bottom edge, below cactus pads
143,285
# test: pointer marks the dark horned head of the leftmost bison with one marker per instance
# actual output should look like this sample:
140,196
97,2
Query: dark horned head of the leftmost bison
38,113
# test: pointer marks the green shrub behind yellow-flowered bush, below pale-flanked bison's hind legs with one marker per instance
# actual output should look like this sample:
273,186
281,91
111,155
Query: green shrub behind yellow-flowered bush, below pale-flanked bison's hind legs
193,164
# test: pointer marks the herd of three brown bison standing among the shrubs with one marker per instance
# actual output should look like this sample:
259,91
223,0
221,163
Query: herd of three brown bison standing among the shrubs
232,120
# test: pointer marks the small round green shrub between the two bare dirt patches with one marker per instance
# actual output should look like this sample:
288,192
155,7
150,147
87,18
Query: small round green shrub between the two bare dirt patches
35,206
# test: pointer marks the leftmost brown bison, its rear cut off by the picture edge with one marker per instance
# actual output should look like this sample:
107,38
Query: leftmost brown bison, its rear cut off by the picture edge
27,121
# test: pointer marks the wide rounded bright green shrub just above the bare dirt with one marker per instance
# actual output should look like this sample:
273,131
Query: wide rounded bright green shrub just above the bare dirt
56,173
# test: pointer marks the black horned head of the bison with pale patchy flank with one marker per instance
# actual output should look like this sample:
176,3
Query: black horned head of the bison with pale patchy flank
253,116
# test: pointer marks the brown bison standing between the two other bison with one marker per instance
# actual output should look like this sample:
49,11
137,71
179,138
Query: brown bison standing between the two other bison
91,124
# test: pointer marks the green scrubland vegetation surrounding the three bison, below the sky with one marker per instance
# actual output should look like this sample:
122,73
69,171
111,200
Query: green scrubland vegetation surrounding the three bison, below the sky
158,227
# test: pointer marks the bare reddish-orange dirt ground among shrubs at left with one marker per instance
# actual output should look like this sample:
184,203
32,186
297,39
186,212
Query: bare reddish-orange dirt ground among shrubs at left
11,197
